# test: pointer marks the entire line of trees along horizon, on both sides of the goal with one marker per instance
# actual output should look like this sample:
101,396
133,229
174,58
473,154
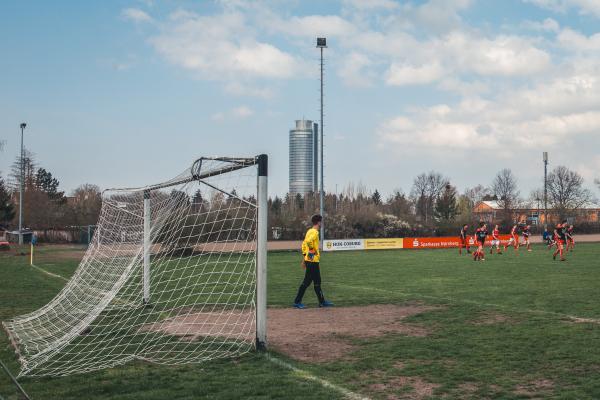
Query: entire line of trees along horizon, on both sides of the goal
432,207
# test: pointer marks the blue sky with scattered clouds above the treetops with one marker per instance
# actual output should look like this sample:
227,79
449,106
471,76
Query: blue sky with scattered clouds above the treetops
129,93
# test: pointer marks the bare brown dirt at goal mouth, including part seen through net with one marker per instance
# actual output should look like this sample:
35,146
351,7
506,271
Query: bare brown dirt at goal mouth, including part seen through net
313,335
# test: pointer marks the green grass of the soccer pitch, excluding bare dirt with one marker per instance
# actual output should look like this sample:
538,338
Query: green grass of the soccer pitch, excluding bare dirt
512,327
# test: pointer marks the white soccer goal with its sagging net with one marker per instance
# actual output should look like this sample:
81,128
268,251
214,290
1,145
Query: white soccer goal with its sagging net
175,274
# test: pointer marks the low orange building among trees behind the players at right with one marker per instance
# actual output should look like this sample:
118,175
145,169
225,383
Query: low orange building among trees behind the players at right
533,214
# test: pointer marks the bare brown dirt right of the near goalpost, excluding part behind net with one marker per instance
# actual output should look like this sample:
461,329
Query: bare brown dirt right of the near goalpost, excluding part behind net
320,335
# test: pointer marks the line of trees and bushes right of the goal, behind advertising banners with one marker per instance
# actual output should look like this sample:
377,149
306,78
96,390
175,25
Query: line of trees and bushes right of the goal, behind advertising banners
433,207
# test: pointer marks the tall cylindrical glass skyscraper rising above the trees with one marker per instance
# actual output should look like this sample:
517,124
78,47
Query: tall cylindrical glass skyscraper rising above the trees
304,157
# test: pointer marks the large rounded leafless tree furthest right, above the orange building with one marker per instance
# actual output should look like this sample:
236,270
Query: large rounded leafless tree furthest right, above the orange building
566,191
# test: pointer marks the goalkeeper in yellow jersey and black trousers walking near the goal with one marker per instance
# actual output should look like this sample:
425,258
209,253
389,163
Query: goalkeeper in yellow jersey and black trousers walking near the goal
311,256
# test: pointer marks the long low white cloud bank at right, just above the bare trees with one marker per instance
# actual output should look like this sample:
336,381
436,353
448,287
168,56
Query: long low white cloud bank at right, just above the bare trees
550,113
